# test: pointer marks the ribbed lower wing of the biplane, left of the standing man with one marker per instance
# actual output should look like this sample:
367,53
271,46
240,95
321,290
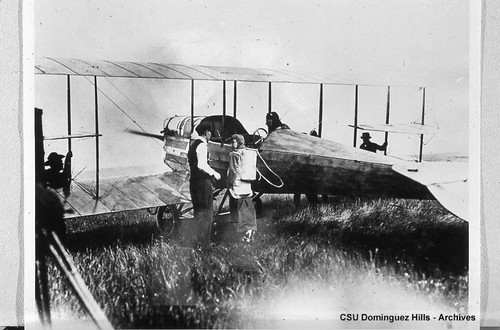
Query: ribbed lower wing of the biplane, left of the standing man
126,193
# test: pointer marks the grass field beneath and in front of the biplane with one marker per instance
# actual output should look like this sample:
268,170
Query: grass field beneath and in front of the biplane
306,267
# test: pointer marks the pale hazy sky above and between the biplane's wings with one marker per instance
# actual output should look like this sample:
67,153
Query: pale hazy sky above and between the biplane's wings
405,44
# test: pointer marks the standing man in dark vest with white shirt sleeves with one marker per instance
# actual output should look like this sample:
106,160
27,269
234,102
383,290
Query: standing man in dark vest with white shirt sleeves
200,185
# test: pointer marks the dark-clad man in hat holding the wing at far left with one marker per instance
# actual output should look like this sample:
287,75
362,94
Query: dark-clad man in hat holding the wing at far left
58,175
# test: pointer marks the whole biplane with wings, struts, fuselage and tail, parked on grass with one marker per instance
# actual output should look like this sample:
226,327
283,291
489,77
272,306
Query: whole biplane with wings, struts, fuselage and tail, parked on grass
288,162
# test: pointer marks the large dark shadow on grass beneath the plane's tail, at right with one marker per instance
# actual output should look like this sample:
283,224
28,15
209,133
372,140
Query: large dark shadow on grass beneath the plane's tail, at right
433,242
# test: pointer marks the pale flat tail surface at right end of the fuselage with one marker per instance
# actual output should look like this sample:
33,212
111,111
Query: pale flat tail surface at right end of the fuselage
447,181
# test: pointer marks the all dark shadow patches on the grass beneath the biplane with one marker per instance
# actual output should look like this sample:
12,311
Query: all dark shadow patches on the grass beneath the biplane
432,242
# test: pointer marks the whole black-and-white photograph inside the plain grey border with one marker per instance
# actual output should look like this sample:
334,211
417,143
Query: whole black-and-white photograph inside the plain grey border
252,164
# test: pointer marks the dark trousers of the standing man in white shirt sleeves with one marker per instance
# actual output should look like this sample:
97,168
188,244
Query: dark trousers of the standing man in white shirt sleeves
202,197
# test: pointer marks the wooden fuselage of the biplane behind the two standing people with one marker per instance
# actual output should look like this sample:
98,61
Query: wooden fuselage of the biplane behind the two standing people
309,165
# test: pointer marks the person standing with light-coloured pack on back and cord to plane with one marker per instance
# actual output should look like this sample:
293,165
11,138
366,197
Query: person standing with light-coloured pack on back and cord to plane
240,192
